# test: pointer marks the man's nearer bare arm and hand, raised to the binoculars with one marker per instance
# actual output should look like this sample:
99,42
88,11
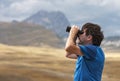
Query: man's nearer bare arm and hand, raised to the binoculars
71,46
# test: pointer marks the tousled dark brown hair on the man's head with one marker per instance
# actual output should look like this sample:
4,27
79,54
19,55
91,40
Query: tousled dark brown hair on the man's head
95,31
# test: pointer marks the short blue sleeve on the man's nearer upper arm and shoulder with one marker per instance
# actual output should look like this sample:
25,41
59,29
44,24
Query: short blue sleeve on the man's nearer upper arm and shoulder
89,51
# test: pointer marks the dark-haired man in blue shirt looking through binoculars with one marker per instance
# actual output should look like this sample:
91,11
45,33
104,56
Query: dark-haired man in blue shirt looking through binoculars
89,55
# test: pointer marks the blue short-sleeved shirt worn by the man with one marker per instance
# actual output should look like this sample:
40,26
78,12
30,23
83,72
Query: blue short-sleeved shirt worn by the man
89,67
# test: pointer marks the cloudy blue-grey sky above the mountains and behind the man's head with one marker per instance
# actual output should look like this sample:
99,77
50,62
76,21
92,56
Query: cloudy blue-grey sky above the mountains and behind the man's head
104,12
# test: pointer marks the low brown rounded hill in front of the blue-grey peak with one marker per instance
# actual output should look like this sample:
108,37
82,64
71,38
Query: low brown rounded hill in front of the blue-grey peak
26,34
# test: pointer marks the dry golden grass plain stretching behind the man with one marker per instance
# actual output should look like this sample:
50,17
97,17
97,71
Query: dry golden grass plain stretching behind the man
19,63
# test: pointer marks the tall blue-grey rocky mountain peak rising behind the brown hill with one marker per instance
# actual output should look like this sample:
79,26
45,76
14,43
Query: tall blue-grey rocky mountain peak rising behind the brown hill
54,20
